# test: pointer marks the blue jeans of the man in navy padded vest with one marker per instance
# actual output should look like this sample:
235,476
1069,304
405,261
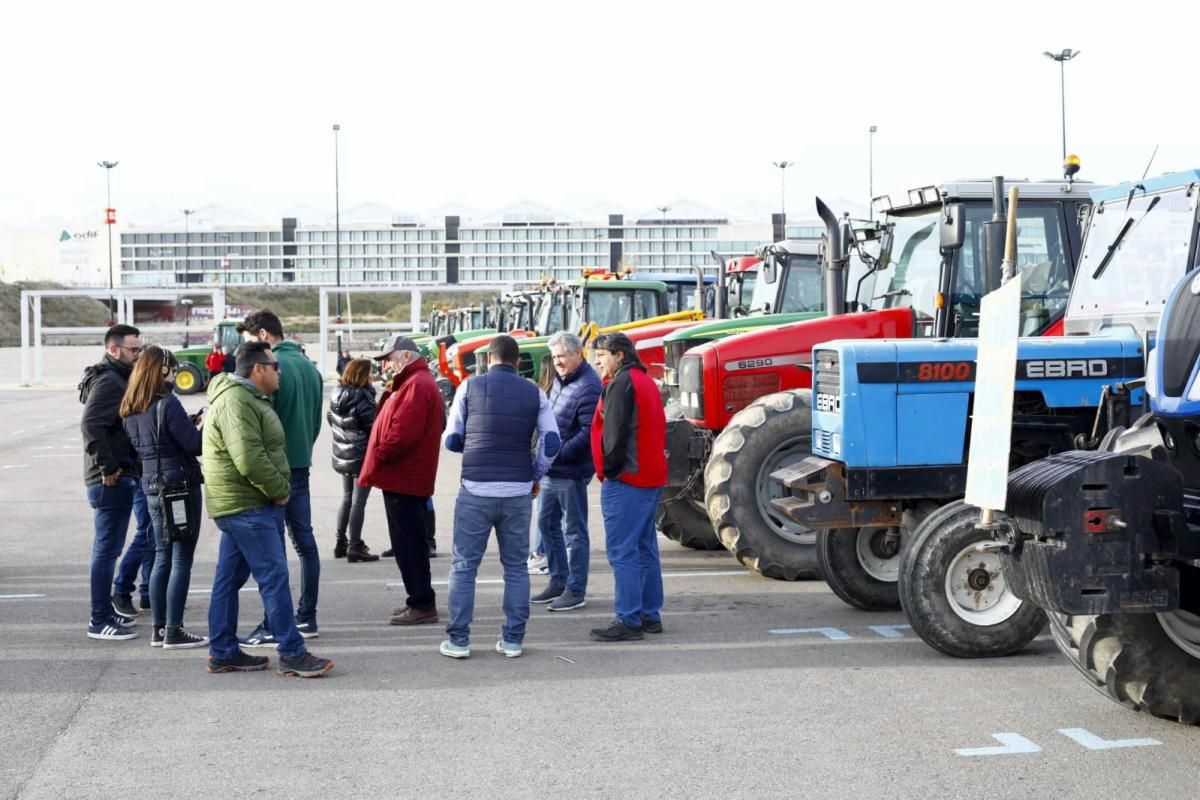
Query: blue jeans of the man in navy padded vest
475,518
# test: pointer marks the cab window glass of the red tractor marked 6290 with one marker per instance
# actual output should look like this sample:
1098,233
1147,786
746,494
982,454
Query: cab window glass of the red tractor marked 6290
1042,258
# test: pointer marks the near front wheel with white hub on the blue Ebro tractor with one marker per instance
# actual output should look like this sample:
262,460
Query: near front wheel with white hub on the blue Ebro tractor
957,599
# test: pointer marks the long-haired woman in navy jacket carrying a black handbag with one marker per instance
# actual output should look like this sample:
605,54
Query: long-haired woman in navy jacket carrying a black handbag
169,444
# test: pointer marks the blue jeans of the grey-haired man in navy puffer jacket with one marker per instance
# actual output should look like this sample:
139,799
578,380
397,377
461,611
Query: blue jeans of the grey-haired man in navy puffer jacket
567,558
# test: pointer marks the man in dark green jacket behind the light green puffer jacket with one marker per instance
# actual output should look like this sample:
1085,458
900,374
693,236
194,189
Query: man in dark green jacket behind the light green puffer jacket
301,405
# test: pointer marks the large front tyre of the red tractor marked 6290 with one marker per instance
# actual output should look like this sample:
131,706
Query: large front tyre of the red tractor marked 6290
775,431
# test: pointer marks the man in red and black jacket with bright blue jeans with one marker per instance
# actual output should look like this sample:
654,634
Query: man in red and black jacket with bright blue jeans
629,452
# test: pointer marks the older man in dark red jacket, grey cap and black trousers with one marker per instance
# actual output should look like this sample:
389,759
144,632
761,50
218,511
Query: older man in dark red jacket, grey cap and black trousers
403,462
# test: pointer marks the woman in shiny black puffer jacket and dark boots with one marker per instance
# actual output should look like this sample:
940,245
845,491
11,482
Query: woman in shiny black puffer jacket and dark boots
352,411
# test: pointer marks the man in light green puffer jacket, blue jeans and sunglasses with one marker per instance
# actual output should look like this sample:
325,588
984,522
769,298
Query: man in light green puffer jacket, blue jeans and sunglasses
248,482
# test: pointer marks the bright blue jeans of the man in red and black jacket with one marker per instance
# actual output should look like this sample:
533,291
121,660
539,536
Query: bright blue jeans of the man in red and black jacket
633,551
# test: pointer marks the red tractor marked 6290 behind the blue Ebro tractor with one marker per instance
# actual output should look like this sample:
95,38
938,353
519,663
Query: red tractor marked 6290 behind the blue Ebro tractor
747,399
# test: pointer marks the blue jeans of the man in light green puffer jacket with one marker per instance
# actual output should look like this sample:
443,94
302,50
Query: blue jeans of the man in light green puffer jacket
251,545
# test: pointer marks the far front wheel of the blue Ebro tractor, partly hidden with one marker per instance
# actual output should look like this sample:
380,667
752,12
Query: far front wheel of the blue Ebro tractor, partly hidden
862,566
